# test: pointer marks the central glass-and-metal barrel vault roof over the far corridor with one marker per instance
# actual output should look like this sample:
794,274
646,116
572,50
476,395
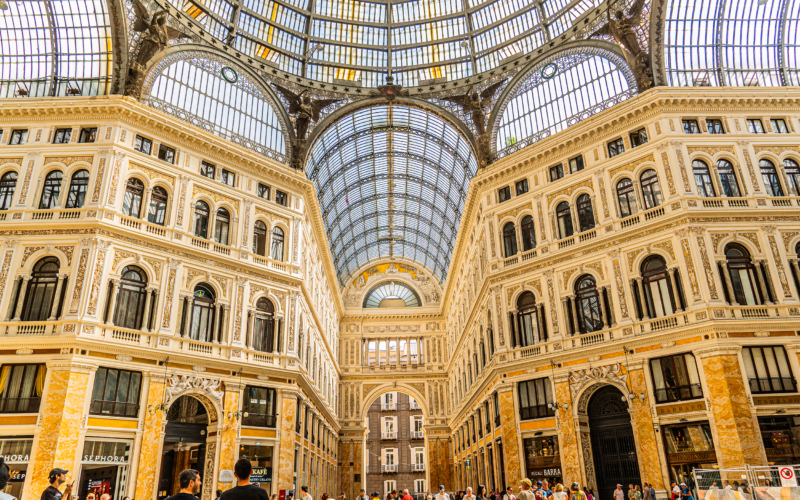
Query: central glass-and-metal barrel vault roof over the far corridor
392,181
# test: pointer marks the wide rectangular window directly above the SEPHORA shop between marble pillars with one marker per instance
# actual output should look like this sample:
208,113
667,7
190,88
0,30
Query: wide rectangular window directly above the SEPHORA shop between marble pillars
116,393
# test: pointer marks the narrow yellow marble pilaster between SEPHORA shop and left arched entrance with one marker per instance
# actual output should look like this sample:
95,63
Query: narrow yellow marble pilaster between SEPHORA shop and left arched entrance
153,429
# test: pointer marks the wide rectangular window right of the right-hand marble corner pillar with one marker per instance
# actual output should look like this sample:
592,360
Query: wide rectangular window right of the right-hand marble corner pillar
768,370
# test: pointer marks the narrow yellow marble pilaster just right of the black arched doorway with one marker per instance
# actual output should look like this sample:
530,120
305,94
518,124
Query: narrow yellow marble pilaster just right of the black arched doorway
650,464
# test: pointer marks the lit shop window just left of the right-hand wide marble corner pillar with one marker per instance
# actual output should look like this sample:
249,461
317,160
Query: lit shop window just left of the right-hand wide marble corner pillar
688,446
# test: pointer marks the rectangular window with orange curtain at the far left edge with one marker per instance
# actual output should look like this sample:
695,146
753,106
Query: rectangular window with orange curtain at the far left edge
21,388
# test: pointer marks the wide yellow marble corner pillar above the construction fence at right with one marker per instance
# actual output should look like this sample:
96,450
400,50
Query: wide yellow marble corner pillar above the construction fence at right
737,432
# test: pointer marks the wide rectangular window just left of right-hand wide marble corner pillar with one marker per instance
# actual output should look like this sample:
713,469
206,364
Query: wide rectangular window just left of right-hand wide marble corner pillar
675,378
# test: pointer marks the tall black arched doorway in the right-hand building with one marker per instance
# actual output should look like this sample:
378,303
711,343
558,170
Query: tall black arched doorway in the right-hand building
613,445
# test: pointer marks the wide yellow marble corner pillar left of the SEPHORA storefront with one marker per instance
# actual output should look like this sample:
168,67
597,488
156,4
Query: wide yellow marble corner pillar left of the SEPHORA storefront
60,421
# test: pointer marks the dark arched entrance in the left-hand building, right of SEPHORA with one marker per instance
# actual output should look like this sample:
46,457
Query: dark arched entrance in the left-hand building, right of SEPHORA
184,443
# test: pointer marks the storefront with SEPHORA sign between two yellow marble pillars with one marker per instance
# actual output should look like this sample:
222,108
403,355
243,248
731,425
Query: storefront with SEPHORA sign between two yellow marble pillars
104,468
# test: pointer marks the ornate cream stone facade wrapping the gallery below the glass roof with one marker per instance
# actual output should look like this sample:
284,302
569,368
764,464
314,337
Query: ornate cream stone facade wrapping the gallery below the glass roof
319,361
